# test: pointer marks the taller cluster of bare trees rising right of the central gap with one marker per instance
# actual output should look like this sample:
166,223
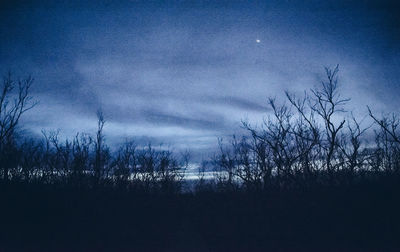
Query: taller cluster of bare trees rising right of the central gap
311,141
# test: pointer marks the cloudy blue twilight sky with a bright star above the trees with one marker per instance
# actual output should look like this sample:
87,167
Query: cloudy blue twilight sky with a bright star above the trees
186,72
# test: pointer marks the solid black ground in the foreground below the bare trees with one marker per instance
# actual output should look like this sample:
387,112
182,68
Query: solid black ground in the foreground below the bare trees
61,218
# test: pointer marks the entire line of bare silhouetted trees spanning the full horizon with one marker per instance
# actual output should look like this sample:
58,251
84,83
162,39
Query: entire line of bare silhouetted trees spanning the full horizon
304,142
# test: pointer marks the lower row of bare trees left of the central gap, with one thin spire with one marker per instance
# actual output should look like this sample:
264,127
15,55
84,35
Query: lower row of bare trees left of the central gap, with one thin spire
86,161
